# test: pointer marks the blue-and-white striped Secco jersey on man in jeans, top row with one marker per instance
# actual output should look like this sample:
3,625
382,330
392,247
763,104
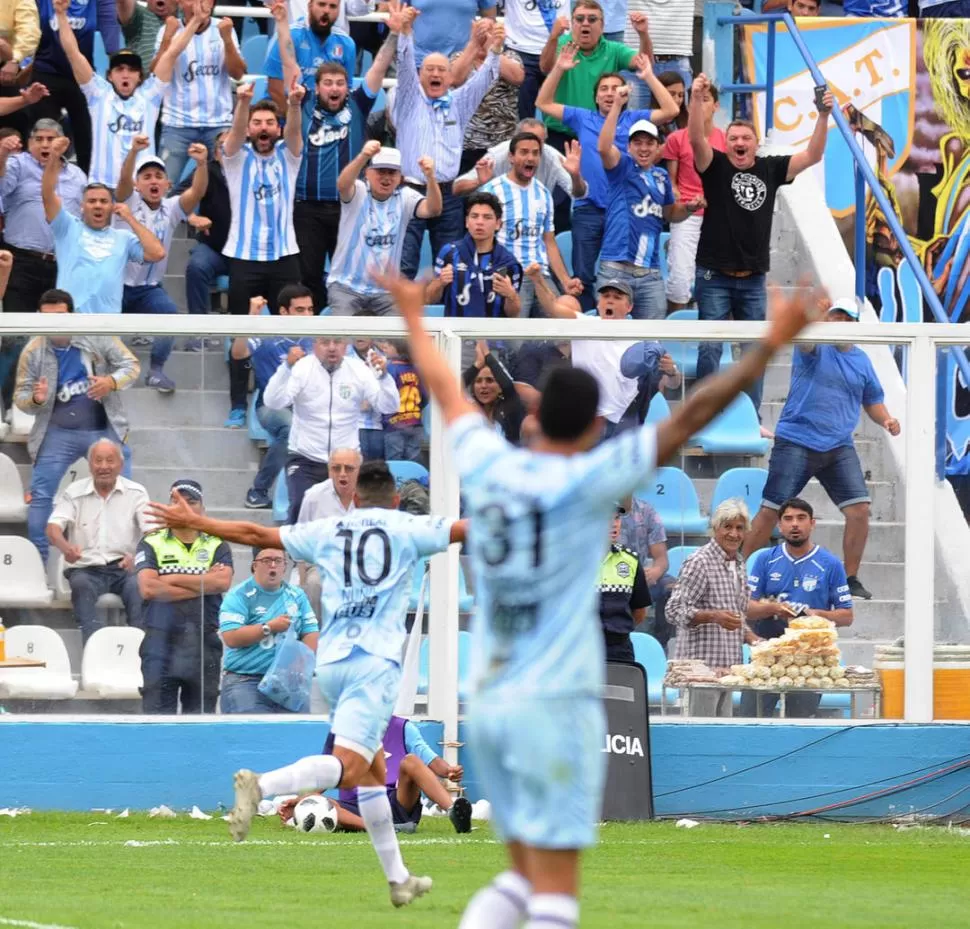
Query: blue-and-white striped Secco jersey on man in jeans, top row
200,93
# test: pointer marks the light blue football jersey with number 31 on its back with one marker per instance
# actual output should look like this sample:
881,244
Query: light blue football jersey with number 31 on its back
539,527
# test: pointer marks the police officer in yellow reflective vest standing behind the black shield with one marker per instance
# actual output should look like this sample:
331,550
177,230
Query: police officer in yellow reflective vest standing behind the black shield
624,595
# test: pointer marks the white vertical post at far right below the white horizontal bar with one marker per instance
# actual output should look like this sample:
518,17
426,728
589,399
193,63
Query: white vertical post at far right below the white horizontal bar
919,554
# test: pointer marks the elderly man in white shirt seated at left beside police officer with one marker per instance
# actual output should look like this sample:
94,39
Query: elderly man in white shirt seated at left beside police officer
96,524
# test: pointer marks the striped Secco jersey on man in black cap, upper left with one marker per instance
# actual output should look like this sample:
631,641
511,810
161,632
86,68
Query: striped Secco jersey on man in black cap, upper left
115,121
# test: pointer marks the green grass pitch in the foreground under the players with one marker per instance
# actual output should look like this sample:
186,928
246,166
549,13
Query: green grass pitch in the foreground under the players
92,871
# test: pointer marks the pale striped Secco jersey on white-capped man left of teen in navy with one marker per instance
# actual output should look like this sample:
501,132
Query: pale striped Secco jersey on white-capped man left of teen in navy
371,234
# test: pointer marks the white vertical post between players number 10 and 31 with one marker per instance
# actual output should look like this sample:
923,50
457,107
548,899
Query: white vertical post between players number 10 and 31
443,615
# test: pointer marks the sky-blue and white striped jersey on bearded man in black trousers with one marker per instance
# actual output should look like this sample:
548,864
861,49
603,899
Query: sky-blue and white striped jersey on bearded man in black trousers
261,192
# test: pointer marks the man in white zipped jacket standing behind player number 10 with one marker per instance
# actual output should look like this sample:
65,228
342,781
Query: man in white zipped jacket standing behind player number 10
325,390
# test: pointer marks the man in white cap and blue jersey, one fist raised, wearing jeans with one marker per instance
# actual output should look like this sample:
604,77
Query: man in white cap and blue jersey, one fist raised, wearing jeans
641,197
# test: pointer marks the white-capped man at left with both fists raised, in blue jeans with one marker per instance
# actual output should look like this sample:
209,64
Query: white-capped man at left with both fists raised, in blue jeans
143,185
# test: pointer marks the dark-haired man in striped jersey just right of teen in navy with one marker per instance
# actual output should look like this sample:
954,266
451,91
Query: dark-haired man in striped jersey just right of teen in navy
527,229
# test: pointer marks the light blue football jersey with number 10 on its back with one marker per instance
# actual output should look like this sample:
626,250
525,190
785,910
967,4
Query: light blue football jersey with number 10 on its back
365,560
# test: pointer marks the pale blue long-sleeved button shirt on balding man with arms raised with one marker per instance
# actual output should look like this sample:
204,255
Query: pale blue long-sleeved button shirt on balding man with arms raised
435,128
